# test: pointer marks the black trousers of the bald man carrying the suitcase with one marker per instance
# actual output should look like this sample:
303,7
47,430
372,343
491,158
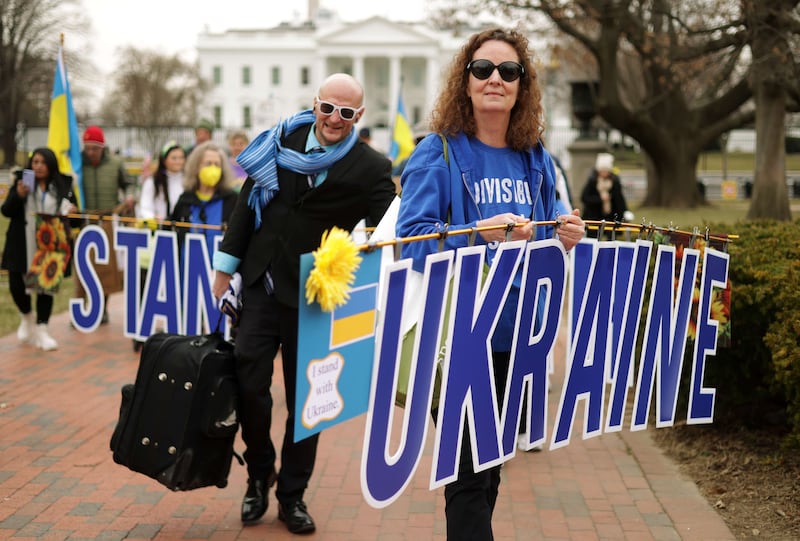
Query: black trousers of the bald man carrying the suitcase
265,327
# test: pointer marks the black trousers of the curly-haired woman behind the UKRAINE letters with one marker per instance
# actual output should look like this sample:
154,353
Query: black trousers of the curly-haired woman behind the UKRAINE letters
470,499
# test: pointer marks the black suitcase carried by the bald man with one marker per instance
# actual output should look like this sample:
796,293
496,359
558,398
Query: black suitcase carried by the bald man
177,423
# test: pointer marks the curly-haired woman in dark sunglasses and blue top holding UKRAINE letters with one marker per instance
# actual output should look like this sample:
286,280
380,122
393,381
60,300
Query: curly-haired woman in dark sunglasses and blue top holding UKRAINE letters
483,165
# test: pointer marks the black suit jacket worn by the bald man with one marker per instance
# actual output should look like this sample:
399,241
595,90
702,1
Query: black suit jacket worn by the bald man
357,186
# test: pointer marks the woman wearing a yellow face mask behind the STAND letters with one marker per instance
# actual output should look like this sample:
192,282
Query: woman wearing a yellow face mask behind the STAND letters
209,197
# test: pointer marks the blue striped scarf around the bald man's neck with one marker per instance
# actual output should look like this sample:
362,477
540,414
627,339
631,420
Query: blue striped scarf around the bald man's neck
261,158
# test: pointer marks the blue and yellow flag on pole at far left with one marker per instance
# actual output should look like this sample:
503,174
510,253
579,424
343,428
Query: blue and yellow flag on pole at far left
62,130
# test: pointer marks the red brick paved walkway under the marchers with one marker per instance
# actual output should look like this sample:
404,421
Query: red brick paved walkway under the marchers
58,480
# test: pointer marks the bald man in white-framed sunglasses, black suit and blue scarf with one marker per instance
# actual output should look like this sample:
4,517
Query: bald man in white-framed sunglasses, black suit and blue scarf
343,180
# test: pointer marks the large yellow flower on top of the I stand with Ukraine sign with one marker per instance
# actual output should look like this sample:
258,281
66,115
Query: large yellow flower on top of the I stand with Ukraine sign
335,263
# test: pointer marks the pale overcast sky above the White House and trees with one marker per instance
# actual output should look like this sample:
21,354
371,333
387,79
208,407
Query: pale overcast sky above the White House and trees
172,26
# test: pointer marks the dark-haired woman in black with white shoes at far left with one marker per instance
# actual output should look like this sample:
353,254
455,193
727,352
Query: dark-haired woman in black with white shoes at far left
51,193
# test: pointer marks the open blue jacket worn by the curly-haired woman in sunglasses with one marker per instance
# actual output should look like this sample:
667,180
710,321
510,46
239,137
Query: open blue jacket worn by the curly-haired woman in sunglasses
436,191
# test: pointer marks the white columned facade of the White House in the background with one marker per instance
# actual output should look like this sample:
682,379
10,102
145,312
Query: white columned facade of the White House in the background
261,76
